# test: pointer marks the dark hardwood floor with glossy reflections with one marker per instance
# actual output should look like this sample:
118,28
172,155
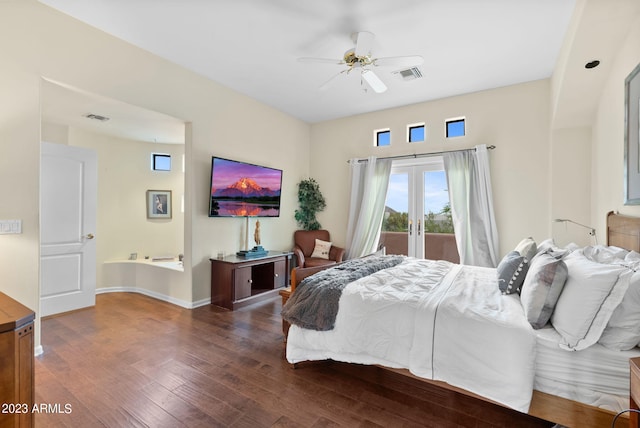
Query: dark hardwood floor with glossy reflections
133,361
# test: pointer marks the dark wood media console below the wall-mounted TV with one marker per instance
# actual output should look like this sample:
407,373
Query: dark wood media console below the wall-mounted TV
239,281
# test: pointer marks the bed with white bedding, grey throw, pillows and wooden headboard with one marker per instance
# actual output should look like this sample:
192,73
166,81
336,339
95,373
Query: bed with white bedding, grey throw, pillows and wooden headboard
526,335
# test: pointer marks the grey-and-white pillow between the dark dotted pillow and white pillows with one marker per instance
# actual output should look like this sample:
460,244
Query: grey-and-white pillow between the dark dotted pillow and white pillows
542,288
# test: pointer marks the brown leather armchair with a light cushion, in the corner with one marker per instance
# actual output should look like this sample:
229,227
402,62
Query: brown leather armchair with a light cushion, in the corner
305,244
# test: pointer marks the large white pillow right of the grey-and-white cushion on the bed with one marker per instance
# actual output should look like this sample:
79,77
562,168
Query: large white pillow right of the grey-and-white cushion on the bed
588,299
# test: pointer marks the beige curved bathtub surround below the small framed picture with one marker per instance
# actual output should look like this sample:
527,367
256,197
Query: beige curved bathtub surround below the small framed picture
162,279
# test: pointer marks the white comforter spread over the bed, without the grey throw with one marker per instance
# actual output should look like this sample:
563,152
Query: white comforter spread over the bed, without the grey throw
439,320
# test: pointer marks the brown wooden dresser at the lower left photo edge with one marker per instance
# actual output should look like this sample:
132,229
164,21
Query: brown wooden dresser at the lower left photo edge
17,364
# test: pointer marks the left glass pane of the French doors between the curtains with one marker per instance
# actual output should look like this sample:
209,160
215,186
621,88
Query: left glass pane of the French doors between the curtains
395,221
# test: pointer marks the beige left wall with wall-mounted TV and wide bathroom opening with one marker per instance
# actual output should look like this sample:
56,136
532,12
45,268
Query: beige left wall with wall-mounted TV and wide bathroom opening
38,42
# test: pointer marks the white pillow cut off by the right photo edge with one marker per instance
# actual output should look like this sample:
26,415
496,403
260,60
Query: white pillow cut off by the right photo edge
623,330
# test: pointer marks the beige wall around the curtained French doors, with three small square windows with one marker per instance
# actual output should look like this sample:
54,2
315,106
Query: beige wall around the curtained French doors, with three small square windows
514,118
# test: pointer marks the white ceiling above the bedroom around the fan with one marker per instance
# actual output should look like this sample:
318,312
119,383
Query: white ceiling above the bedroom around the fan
252,46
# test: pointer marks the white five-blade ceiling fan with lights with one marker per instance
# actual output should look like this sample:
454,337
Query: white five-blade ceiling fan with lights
360,59
